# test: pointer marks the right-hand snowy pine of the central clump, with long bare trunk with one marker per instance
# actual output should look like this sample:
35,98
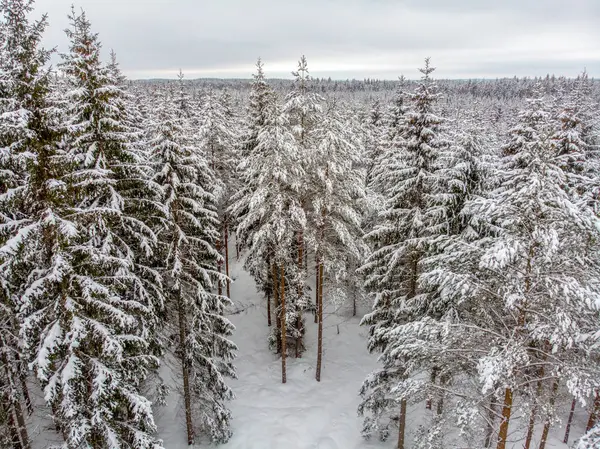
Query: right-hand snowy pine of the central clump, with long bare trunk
337,197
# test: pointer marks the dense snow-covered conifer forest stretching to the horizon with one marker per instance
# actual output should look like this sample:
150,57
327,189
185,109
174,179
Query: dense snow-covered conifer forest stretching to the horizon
461,215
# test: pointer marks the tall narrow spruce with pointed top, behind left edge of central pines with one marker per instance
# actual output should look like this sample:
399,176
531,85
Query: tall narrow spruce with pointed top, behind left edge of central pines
259,111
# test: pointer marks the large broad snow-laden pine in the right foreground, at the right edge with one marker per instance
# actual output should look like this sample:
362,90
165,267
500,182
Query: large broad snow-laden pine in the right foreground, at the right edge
525,299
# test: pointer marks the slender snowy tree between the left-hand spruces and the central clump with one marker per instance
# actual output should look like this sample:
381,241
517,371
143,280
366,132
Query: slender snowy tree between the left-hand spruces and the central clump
218,134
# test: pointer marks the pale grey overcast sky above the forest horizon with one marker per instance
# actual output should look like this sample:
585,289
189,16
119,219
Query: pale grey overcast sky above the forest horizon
341,38
